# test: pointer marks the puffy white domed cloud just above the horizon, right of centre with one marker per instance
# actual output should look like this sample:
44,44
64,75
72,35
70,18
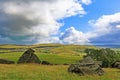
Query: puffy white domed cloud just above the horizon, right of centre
72,36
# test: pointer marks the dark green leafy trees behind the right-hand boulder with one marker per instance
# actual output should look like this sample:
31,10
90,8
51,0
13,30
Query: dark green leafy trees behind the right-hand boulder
107,56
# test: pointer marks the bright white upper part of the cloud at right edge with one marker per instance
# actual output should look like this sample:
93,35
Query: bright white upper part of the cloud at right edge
105,24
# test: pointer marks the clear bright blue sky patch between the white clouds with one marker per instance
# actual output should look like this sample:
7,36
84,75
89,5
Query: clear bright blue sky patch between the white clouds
94,11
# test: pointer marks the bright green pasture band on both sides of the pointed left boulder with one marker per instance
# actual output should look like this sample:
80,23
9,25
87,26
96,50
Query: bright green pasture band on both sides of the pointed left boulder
52,58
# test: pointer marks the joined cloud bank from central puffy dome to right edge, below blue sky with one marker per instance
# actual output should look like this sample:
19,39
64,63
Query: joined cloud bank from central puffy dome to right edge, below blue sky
106,30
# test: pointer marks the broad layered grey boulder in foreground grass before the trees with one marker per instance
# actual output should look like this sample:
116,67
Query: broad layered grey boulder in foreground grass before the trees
86,67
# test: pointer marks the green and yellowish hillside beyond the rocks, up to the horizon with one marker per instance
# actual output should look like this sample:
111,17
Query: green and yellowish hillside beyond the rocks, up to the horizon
53,53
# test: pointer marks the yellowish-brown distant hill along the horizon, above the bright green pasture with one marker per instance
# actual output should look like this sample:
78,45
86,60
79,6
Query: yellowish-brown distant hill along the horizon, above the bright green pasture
48,48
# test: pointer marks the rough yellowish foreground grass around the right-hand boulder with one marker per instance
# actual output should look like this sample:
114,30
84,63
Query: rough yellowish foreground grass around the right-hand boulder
43,72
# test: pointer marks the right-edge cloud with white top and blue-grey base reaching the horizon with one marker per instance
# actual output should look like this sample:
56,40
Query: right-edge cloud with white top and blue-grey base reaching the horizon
106,29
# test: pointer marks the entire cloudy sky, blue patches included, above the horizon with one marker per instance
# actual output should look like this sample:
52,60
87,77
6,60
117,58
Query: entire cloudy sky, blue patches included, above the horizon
95,22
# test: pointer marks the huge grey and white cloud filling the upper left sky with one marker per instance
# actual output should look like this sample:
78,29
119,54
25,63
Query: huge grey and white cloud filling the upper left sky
36,17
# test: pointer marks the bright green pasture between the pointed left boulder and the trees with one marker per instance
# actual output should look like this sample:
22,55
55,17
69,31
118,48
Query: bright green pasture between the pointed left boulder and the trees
59,59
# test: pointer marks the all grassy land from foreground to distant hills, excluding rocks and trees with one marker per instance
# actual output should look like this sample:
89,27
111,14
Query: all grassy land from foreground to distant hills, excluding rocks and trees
53,53
